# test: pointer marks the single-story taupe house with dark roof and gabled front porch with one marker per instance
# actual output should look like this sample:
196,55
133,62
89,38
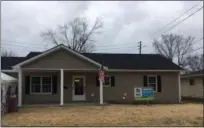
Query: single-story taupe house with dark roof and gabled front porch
60,75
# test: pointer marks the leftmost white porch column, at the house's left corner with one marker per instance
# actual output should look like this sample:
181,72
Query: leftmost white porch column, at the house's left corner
20,87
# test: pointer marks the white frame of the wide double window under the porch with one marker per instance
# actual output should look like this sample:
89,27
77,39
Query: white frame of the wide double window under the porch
41,85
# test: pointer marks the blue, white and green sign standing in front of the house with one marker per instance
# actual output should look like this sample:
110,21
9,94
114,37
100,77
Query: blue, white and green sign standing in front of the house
143,93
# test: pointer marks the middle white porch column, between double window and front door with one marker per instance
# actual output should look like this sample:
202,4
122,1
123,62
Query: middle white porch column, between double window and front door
61,87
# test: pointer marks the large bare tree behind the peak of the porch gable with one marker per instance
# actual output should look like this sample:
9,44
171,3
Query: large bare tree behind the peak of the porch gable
77,34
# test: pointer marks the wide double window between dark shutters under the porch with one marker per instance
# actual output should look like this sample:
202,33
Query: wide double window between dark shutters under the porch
42,84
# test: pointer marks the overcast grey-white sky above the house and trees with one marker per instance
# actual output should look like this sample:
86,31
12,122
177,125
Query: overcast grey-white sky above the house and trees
125,23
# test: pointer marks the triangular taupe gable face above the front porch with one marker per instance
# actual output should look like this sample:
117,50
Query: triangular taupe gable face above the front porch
60,59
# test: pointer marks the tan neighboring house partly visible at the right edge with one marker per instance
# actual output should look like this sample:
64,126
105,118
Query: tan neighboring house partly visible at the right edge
192,84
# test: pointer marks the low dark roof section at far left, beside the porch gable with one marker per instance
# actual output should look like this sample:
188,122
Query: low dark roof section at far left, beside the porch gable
7,62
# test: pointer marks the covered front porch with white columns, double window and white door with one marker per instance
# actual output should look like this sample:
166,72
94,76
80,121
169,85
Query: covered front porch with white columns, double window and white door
66,86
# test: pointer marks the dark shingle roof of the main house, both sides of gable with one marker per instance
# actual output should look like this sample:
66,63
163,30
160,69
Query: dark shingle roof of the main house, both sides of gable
112,61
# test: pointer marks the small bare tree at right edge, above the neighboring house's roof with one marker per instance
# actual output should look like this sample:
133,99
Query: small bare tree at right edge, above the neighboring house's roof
195,62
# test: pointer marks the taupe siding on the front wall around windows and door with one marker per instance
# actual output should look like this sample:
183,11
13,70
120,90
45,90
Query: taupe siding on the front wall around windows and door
124,83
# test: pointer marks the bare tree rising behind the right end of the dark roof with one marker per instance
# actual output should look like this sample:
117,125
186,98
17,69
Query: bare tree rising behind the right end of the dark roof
173,45
